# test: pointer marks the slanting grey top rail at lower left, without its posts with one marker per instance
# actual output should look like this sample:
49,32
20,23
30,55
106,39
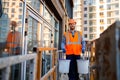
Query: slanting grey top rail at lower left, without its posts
8,61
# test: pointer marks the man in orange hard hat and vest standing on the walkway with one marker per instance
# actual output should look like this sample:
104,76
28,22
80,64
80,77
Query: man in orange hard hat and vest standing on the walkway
73,45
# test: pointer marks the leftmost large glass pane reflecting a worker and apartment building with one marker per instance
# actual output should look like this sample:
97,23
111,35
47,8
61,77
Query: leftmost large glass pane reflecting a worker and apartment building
11,28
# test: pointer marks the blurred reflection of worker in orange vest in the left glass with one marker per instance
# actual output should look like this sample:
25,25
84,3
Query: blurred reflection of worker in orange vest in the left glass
13,40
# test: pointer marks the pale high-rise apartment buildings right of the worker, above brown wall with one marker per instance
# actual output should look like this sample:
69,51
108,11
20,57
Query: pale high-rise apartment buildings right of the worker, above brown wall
95,16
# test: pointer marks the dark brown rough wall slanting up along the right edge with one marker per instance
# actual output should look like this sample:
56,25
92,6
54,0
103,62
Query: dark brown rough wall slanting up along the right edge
108,53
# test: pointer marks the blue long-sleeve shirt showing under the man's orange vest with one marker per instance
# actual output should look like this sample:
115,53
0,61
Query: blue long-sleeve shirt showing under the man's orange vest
63,43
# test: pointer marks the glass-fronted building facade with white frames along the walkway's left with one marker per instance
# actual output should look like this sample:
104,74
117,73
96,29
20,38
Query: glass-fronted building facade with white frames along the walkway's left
40,23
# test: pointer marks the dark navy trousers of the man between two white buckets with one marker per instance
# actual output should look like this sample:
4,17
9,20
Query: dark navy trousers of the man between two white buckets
73,71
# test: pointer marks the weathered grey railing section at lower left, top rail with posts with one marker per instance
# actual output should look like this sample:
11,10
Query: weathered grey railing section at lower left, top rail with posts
7,62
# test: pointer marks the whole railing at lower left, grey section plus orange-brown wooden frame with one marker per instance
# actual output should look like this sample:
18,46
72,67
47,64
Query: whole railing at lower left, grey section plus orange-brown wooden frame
7,62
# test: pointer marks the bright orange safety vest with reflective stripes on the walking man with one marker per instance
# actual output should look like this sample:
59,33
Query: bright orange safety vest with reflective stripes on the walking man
73,44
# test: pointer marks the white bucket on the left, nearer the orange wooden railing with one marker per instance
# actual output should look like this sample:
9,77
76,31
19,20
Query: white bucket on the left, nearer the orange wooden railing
64,66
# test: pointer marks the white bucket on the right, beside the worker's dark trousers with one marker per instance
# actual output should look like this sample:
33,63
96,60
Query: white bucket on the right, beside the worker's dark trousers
83,66
